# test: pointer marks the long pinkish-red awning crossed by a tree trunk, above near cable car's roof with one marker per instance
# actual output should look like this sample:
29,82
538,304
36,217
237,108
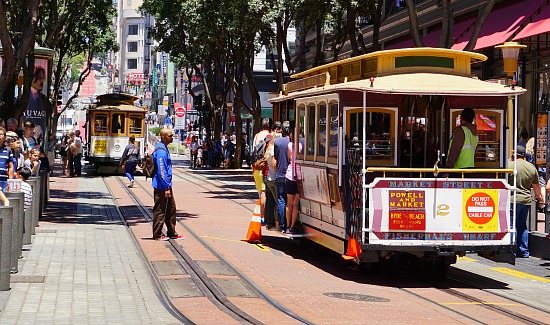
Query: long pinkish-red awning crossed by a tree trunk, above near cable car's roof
501,24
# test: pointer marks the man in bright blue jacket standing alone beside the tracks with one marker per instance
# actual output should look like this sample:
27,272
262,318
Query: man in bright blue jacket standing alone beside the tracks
164,210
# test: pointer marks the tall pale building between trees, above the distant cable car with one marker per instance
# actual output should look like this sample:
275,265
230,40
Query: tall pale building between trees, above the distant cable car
133,59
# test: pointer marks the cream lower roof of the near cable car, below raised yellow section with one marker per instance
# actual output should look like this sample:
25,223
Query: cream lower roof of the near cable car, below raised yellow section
414,84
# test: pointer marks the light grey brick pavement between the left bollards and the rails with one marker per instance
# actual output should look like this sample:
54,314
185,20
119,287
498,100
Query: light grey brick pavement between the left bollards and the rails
81,266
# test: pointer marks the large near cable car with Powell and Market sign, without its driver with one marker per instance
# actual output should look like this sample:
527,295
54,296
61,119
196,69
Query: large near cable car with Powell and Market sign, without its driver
374,131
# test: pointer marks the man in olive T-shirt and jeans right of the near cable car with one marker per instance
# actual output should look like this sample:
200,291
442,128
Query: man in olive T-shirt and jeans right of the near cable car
527,178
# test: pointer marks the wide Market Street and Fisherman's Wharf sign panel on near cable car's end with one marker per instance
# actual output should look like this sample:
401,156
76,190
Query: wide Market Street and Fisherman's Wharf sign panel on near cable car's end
406,212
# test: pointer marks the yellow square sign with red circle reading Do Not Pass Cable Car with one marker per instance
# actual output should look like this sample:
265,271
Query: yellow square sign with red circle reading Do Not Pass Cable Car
480,210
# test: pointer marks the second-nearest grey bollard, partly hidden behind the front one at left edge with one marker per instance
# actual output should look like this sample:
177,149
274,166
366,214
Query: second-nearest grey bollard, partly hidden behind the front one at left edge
17,202
